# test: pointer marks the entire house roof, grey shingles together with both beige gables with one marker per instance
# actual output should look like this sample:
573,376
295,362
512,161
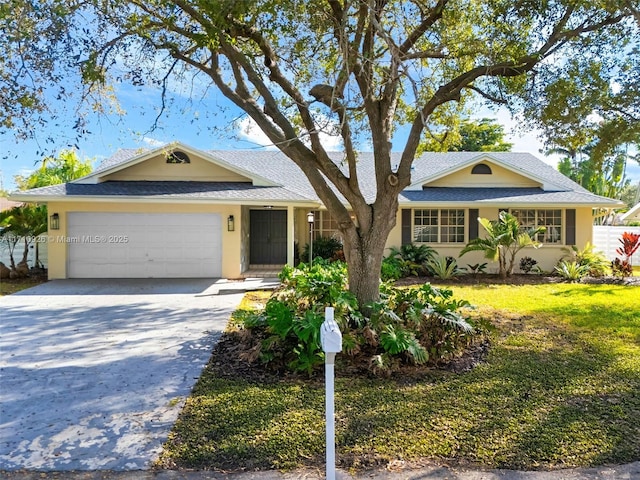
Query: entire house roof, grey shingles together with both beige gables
269,177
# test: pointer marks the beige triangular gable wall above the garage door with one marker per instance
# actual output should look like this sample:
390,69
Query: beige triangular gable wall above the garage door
158,169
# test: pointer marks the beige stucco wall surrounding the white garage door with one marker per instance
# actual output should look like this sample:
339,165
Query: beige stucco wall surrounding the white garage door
231,241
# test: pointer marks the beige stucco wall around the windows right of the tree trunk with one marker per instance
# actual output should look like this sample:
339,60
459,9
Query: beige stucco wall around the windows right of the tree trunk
547,256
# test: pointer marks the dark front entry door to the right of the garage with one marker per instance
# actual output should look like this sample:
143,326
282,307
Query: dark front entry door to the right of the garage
268,237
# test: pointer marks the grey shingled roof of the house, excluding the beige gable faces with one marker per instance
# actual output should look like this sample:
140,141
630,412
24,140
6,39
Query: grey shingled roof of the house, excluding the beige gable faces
274,166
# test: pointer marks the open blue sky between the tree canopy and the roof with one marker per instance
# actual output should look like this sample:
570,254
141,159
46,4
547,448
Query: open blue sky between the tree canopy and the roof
212,123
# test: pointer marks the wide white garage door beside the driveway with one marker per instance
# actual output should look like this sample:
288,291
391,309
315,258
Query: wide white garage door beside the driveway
144,245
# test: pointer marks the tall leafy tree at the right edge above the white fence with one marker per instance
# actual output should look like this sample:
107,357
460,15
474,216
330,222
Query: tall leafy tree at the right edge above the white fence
591,117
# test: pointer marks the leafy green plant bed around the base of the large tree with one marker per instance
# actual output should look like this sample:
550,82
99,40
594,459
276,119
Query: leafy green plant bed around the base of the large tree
412,326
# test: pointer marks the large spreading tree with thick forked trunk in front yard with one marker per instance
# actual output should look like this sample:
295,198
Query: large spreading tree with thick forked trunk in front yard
361,69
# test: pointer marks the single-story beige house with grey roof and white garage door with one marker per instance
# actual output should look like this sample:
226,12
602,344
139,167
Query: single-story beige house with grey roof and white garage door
177,211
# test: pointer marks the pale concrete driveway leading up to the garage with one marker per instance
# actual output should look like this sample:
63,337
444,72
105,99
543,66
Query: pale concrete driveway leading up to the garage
95,372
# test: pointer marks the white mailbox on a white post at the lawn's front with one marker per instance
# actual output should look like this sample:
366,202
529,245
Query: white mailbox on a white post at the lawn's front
331,340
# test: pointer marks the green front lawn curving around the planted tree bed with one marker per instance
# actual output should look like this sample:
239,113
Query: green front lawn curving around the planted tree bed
561,388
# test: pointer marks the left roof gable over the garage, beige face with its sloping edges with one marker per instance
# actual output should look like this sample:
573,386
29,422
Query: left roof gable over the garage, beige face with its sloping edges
160,165
